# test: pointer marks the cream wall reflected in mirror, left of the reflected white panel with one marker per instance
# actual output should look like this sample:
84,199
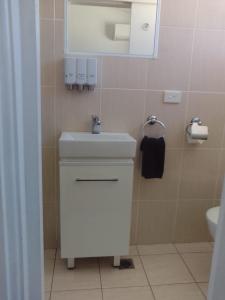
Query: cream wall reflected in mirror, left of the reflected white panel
92,28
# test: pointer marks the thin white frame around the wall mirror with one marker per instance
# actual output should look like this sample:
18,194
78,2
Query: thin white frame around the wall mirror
96,54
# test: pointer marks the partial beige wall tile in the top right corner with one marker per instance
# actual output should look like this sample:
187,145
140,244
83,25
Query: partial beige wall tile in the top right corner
211,14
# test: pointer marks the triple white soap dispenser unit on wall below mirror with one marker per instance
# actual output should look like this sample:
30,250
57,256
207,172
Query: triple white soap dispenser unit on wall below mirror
80,73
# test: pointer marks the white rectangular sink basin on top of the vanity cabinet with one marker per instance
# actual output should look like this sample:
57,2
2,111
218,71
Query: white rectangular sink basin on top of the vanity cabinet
103,145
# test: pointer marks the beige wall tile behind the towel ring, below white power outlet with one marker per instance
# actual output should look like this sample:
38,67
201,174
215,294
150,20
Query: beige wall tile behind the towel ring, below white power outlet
173,115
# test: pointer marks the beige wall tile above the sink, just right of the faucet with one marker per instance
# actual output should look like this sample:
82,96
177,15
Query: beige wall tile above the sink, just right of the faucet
122,111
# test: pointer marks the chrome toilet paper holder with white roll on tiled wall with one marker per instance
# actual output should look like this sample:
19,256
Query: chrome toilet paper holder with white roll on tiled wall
196,132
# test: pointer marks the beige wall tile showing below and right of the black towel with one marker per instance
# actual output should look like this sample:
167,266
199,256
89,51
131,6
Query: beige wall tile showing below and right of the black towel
164,189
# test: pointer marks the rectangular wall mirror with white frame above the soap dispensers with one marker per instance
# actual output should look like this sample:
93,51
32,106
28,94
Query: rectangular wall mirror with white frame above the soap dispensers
112,27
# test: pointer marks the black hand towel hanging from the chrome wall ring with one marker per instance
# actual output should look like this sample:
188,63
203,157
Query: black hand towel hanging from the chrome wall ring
153,157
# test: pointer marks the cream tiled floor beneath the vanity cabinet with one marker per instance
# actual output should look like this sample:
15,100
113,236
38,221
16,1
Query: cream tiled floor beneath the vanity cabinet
162,272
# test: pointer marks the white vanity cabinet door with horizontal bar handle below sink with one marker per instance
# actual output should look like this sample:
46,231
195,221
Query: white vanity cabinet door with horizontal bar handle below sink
95,210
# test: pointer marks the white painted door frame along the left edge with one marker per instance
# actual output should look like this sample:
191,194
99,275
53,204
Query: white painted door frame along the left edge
21,240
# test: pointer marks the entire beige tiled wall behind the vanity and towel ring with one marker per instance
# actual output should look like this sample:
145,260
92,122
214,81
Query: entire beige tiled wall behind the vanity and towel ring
191,59
